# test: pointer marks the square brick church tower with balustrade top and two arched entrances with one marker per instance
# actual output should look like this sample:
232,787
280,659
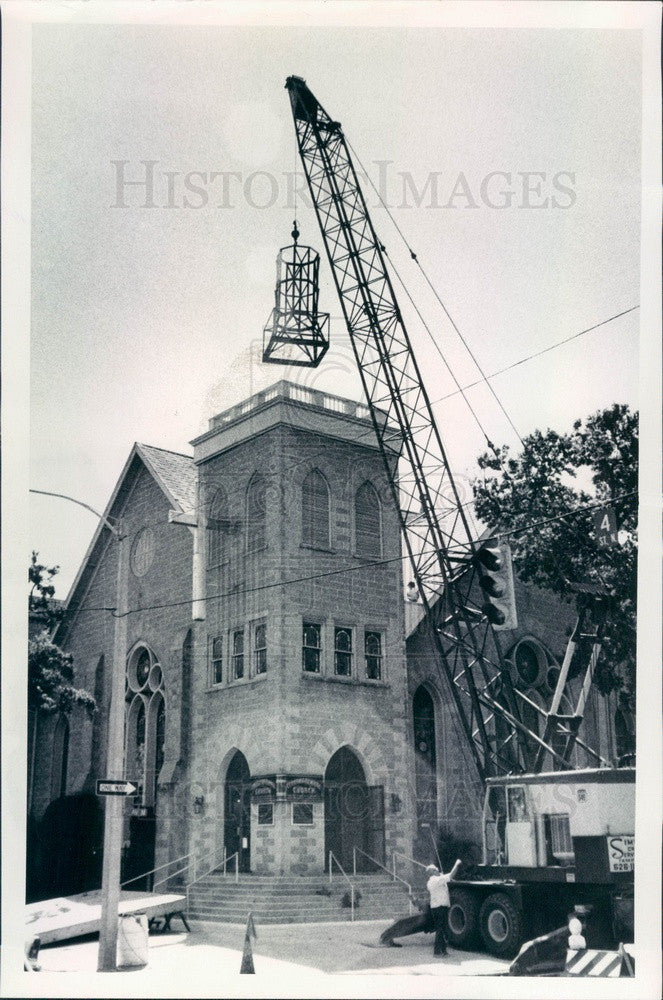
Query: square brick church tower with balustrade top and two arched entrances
299,696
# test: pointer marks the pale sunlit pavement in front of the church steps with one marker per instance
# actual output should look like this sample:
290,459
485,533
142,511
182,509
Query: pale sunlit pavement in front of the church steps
285,951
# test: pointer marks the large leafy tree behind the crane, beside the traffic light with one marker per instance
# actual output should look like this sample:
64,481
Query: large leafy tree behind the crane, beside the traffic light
556,474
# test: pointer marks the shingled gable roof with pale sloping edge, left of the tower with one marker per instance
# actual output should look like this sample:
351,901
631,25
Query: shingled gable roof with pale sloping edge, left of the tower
177,477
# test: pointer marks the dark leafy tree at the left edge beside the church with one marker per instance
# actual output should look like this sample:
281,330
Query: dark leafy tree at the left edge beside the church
50,670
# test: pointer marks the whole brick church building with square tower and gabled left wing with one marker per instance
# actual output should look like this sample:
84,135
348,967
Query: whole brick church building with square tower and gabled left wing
282,700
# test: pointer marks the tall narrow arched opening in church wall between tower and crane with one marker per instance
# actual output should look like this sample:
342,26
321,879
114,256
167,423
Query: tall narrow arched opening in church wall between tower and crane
425,768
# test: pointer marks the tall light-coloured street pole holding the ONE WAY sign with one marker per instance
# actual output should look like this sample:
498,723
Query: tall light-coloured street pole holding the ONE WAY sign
114,809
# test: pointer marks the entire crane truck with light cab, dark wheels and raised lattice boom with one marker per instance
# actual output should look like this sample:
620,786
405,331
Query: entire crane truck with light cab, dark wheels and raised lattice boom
553,836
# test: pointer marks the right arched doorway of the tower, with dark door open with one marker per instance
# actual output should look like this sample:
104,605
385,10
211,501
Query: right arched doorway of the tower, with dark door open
354,813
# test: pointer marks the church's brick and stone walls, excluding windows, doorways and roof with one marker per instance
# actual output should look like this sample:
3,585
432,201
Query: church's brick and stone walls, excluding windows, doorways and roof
285,721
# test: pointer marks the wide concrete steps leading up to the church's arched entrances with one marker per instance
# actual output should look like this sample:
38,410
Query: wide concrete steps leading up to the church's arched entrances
295,899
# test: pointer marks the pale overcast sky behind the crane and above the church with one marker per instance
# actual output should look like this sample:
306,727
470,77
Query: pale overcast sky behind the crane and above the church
146,321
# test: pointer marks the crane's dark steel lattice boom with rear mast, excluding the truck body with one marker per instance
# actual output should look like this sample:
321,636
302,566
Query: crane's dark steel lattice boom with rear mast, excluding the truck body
447,561
